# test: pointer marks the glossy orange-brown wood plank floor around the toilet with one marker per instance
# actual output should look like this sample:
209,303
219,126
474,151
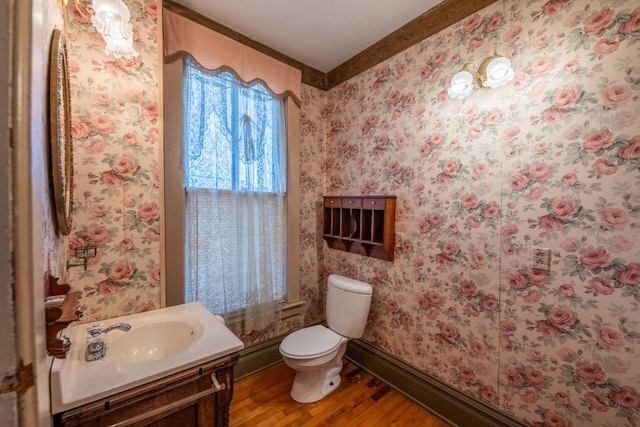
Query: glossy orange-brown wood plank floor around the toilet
361,400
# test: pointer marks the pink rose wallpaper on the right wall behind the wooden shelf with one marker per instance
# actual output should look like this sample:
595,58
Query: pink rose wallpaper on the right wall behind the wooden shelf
552,161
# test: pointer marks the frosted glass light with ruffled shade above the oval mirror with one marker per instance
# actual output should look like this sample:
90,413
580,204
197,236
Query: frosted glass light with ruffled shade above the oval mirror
113,21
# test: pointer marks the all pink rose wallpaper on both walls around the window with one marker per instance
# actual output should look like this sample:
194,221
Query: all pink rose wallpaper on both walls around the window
550,160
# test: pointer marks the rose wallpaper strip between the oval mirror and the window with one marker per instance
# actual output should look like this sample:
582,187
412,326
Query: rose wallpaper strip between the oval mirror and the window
116,158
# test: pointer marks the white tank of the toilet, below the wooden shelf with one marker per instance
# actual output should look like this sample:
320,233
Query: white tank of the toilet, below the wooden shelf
348,303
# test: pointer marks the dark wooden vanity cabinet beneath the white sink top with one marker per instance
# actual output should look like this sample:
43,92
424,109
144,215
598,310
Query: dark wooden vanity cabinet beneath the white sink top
187,398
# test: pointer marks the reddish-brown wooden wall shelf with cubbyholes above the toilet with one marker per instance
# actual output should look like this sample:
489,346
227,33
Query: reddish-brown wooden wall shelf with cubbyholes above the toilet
363,225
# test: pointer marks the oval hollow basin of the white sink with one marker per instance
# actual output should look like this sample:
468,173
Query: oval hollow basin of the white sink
155,340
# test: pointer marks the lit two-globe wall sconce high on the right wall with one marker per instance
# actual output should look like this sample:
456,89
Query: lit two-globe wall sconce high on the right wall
494,71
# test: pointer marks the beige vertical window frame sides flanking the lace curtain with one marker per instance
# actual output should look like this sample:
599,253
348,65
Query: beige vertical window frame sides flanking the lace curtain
173,249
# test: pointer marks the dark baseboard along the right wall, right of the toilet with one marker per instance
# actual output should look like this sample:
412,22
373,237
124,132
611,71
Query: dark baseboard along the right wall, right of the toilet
442,400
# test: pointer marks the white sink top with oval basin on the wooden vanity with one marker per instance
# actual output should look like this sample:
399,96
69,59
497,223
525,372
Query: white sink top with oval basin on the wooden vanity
159,343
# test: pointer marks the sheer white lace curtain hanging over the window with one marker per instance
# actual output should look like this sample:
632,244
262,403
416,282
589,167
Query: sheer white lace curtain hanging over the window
235,185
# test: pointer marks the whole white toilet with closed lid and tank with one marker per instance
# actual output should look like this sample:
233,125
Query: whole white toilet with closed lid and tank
316,352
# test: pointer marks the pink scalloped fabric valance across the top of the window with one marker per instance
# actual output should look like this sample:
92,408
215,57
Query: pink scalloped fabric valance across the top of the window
213,51
